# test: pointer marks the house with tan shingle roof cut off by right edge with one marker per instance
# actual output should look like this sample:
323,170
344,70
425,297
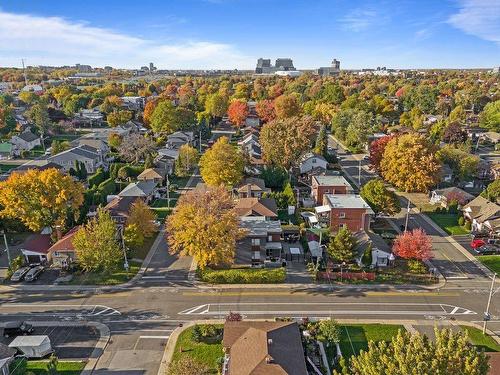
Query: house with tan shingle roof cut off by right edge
483,215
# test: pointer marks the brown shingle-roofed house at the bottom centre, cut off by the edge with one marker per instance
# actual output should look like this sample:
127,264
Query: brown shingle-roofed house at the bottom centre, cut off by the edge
270,348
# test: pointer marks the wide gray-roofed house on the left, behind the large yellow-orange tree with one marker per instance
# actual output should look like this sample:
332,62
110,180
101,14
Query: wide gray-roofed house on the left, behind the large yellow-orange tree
89,156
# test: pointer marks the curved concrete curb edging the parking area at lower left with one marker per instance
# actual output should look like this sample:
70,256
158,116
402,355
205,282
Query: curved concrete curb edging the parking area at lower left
102,342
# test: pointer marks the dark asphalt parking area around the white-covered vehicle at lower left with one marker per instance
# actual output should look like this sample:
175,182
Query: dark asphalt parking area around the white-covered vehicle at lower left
75,343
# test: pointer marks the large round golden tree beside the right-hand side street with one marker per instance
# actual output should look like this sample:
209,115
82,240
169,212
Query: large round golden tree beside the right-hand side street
410,163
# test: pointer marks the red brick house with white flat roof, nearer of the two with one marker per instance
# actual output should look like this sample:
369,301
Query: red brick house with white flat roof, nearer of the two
345,211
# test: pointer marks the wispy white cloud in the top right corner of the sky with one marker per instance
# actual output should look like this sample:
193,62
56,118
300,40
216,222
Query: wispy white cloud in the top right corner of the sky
480,18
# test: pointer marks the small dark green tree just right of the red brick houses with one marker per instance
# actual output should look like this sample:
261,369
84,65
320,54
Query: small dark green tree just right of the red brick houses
380,198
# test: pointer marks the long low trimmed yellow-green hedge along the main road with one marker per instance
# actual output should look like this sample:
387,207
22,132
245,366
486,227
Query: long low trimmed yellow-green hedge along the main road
243,276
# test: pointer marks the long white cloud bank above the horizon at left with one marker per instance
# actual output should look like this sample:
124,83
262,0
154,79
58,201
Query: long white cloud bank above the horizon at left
57,41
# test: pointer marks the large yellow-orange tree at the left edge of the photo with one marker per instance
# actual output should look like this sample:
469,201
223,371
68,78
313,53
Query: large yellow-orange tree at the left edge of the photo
40,198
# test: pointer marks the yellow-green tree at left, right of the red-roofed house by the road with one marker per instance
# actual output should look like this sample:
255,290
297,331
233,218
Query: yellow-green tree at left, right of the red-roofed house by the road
96,246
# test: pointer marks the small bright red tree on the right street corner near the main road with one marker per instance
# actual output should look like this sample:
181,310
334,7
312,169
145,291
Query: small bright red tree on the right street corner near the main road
415,244
